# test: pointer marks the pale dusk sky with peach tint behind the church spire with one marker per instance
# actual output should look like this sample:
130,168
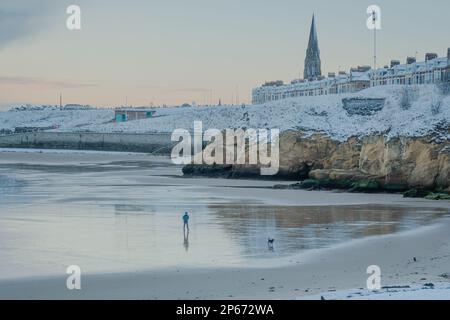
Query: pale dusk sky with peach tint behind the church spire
142,52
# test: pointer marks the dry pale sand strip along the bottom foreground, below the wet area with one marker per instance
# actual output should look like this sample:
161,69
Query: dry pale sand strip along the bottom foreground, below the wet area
320,272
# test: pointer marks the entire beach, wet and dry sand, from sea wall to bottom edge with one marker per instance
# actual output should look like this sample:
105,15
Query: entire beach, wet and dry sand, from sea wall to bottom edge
123,229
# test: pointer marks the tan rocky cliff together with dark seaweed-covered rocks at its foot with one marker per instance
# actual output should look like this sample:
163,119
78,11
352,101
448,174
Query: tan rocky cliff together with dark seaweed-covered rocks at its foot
381,163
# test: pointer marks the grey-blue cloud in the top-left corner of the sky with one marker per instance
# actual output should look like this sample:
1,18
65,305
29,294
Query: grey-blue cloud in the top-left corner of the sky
20,19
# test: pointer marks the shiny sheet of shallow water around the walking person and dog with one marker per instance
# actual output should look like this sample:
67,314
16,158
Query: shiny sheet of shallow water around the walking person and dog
126,216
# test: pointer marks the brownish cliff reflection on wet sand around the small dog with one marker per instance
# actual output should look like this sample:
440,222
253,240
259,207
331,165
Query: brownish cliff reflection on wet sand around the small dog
300,228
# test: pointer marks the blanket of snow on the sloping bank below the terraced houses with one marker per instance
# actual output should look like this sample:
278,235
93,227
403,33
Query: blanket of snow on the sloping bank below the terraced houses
428,110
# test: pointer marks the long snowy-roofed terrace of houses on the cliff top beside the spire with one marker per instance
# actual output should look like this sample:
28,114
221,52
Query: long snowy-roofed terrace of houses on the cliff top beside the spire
431,71
